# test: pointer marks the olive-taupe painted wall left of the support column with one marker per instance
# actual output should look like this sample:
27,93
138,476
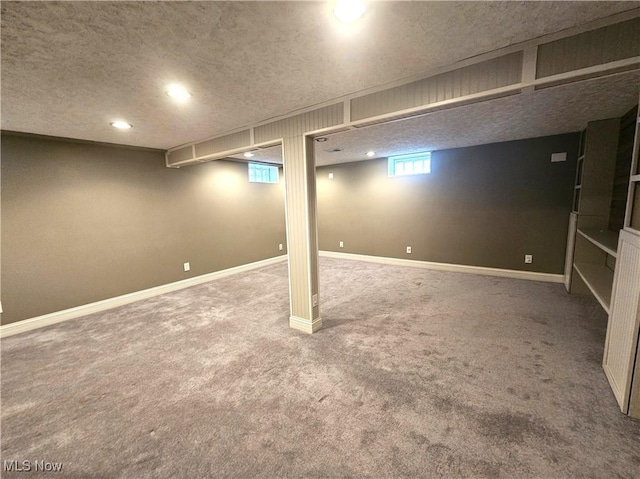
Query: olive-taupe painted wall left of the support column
84,222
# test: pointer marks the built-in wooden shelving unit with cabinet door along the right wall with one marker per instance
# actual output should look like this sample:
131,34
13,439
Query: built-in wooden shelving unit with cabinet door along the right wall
603,245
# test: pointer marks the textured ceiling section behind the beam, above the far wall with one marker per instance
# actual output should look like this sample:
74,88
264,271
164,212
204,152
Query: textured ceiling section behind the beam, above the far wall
552,111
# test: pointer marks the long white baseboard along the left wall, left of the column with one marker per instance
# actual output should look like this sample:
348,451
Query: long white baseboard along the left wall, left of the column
66,314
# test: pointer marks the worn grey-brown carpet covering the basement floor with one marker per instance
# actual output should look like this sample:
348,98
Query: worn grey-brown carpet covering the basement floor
416,374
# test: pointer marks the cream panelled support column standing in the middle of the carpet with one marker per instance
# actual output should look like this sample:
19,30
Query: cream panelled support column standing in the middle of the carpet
302,232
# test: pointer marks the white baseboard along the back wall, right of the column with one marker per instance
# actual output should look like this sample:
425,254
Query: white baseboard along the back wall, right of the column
456,268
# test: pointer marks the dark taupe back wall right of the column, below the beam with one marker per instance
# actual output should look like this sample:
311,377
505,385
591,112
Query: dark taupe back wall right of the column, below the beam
486,205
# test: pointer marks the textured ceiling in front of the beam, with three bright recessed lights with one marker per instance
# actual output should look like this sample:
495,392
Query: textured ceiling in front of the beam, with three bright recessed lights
69,68
